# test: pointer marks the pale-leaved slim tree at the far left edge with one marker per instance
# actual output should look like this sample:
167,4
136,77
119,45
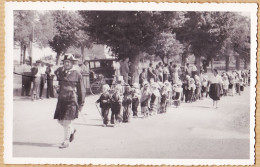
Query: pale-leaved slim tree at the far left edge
23,30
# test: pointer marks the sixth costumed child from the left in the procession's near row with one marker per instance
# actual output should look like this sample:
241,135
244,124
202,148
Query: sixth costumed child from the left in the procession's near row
155,98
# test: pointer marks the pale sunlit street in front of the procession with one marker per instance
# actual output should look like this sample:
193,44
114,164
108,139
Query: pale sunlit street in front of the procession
195,130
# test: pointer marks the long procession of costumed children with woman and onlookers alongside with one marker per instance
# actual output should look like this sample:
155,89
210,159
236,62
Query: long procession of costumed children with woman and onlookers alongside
162,85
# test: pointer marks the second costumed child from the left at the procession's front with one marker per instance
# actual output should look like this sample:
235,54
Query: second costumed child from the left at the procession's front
116,105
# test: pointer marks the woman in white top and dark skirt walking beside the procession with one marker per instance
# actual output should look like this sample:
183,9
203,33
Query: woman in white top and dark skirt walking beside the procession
215,88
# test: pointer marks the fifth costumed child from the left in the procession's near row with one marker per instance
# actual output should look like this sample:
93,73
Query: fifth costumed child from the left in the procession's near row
145,99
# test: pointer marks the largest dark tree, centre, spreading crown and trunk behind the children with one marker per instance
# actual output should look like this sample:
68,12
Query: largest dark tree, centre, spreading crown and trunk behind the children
127,33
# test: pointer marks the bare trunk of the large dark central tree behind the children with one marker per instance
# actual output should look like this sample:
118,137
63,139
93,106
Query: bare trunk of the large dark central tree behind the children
134,67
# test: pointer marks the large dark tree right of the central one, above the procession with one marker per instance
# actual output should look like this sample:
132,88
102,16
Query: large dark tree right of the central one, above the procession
204,33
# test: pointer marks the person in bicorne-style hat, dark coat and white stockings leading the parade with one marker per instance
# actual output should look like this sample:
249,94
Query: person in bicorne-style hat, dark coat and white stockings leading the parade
70,100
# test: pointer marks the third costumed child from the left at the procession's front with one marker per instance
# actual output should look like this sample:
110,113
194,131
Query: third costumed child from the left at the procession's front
127,101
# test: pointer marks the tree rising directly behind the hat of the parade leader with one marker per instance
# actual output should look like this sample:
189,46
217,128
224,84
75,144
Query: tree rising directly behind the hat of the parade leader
65,36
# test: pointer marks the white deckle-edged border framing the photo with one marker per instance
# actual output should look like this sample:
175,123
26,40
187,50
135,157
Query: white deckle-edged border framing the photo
118,6
